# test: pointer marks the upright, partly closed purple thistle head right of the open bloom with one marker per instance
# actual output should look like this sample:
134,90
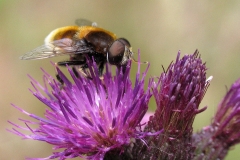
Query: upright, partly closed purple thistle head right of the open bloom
178,94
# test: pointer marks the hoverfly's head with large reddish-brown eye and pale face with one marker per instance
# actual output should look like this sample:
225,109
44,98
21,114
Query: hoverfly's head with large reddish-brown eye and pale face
119,52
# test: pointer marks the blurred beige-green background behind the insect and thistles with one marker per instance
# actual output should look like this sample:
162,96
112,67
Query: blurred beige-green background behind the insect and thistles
158,28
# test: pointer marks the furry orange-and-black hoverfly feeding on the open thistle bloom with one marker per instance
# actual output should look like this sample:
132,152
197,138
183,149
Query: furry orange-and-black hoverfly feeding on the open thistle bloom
84,39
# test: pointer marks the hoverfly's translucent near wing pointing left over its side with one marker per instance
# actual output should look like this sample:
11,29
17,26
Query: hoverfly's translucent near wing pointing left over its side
56,48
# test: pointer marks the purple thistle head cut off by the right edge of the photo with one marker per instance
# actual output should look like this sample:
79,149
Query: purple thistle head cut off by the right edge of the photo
214,141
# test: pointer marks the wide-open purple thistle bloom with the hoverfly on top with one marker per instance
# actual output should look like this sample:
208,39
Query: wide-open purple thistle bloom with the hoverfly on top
89,117
